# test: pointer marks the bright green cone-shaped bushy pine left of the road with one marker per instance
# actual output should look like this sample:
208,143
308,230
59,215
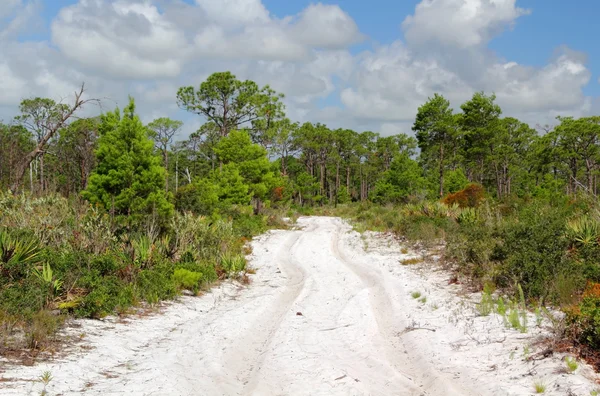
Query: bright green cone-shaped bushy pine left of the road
129,179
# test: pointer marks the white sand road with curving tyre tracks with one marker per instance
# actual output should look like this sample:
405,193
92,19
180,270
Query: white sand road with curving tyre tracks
324,315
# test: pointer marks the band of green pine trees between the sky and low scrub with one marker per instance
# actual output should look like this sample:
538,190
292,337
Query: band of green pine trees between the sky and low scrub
249,153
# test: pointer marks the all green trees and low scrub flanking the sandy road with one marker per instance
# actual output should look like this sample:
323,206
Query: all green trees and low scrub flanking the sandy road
99,215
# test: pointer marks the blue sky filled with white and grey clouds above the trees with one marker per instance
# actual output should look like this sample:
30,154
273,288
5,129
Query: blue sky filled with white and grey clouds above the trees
365,65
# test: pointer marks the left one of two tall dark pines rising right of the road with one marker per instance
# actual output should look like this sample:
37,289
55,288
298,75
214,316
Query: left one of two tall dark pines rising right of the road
436,132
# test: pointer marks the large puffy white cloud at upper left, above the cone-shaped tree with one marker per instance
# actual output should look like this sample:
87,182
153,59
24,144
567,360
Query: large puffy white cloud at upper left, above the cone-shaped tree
120,39
